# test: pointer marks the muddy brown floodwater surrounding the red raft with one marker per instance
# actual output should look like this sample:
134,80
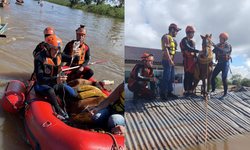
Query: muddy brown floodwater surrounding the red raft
105,37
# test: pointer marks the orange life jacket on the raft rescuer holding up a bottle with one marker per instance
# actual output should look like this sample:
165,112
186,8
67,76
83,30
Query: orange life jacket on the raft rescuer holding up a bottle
83,48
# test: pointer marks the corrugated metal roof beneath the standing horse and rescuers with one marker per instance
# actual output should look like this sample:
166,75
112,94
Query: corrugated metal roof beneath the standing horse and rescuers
165,125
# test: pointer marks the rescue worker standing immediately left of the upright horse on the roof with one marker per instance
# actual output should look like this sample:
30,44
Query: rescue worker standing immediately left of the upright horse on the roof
188,50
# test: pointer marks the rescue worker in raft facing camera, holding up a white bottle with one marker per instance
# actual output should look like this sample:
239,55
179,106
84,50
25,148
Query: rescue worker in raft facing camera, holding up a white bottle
83,71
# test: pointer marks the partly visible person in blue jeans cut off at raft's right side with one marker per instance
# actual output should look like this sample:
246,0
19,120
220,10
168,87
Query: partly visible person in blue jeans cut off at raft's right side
111,116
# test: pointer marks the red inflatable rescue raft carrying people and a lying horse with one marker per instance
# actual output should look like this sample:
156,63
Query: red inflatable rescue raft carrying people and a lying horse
45,130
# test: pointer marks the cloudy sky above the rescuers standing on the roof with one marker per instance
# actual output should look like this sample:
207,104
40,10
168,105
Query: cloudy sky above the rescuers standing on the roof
146,21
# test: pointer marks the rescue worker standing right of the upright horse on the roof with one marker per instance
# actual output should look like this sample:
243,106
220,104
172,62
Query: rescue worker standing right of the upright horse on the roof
223,53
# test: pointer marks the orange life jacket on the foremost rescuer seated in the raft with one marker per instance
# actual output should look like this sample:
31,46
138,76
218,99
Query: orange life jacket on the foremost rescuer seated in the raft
49,67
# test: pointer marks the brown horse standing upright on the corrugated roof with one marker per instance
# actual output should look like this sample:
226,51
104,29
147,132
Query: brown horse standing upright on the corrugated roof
205,65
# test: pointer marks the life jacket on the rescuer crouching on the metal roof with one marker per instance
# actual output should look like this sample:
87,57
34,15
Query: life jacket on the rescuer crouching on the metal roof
146,72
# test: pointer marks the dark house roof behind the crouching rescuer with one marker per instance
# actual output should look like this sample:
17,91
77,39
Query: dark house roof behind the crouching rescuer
133,55
